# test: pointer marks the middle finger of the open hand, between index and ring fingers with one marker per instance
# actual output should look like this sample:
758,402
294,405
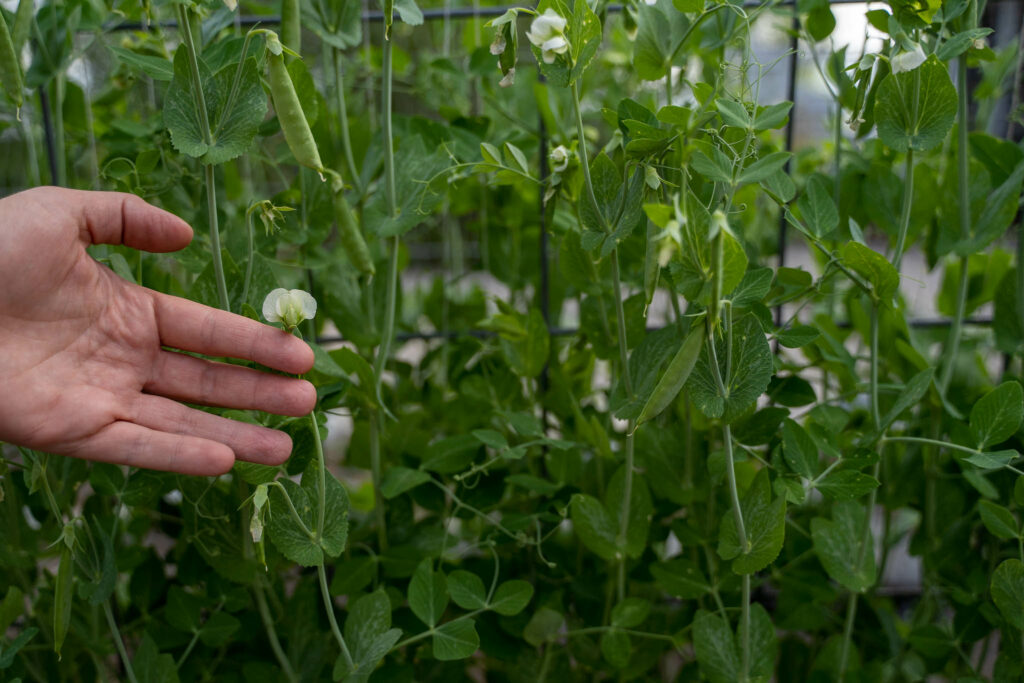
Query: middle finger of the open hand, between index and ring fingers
197,381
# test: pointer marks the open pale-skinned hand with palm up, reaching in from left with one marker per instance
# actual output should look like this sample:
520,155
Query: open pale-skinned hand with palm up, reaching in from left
84,371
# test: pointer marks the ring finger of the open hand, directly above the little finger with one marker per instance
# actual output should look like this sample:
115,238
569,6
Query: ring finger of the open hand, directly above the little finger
250,443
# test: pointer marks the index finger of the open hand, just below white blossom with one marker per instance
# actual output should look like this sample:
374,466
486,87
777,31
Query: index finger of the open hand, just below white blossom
193,327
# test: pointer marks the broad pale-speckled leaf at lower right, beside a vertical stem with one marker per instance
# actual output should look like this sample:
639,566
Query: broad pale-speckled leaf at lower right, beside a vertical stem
837,543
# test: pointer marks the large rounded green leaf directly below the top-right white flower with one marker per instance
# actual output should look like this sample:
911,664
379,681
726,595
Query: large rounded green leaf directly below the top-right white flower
915,110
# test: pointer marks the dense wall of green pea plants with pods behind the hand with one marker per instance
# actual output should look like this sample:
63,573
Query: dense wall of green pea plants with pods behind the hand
673,455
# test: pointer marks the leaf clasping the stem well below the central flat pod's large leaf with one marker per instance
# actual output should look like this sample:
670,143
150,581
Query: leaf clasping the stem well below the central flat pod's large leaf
764,521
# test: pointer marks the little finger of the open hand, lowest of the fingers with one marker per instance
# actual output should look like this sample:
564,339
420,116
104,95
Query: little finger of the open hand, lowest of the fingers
129,444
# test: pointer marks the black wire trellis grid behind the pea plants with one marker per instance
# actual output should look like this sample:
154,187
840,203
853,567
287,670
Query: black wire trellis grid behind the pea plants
543,257
